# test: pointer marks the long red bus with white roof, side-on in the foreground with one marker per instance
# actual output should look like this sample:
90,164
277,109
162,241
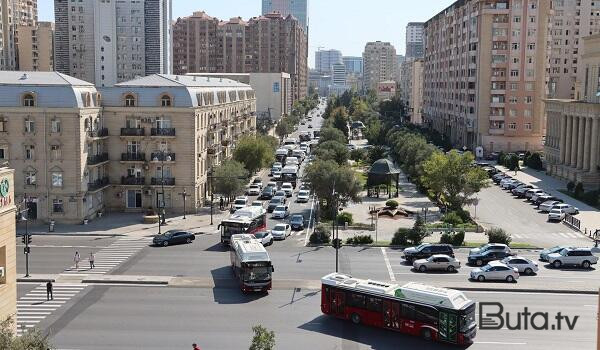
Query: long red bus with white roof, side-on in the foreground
430,312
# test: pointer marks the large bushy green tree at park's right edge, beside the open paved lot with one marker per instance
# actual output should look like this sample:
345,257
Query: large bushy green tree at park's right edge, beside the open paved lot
452,179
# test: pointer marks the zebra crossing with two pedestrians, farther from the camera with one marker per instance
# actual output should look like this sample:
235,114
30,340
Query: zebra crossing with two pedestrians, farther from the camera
109,257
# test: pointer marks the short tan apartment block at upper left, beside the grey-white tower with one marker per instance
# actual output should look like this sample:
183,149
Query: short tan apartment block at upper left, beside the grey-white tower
36,47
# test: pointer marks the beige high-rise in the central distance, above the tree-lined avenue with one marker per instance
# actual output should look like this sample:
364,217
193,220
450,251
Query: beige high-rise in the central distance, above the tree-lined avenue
380,63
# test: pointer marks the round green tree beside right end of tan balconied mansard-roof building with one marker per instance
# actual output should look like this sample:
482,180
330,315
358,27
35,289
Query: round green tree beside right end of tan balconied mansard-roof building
254,152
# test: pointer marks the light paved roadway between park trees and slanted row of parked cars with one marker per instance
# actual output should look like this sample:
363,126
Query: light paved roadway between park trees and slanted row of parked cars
498,208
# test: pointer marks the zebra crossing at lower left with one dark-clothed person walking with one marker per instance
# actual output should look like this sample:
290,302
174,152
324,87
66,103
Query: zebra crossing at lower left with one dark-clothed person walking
34,306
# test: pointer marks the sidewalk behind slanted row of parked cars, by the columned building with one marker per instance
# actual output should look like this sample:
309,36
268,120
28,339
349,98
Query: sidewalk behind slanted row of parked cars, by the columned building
589,216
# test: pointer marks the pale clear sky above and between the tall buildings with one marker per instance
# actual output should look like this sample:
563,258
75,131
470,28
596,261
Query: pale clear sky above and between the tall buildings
345,25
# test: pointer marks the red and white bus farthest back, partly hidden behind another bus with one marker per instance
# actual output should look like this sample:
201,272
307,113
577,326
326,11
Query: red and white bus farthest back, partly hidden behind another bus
246,220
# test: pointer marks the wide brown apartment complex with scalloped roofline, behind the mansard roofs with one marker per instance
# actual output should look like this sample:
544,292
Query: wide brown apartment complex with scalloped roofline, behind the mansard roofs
266,44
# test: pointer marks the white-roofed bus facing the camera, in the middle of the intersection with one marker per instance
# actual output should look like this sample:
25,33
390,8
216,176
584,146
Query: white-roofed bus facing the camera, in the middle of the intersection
251,263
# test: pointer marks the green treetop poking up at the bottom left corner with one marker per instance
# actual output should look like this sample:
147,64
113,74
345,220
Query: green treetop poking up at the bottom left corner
32,339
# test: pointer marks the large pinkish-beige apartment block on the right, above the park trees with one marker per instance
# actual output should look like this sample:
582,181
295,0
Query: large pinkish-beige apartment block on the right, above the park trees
485,73
